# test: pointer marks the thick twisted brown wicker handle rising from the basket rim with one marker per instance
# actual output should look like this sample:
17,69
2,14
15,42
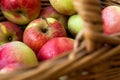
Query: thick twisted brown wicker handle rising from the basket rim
90,11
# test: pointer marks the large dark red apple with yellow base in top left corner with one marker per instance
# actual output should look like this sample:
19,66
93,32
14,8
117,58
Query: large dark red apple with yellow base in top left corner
21,11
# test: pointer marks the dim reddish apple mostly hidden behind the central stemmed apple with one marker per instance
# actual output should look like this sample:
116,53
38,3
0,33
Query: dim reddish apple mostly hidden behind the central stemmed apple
49,11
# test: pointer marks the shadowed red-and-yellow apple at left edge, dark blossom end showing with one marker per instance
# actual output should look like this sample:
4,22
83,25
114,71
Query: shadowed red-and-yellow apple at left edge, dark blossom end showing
10,32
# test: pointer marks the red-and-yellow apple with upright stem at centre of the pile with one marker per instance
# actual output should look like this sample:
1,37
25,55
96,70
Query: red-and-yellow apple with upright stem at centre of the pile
40,30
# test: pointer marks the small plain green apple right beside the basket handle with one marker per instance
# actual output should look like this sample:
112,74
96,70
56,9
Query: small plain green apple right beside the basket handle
75,24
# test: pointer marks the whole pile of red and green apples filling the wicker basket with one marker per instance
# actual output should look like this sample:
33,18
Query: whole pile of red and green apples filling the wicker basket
33,33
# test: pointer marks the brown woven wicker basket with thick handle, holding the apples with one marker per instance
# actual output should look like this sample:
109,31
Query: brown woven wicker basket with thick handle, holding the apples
95,58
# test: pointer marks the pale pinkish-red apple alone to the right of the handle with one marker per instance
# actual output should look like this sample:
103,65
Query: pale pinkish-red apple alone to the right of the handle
111,20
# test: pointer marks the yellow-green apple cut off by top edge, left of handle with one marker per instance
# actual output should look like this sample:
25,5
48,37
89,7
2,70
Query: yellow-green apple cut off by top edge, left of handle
64,7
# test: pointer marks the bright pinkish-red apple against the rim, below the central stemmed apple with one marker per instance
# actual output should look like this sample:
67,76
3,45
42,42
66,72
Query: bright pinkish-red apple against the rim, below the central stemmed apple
55,47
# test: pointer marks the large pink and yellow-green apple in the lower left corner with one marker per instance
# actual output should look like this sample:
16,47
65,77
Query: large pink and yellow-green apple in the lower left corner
16,55
